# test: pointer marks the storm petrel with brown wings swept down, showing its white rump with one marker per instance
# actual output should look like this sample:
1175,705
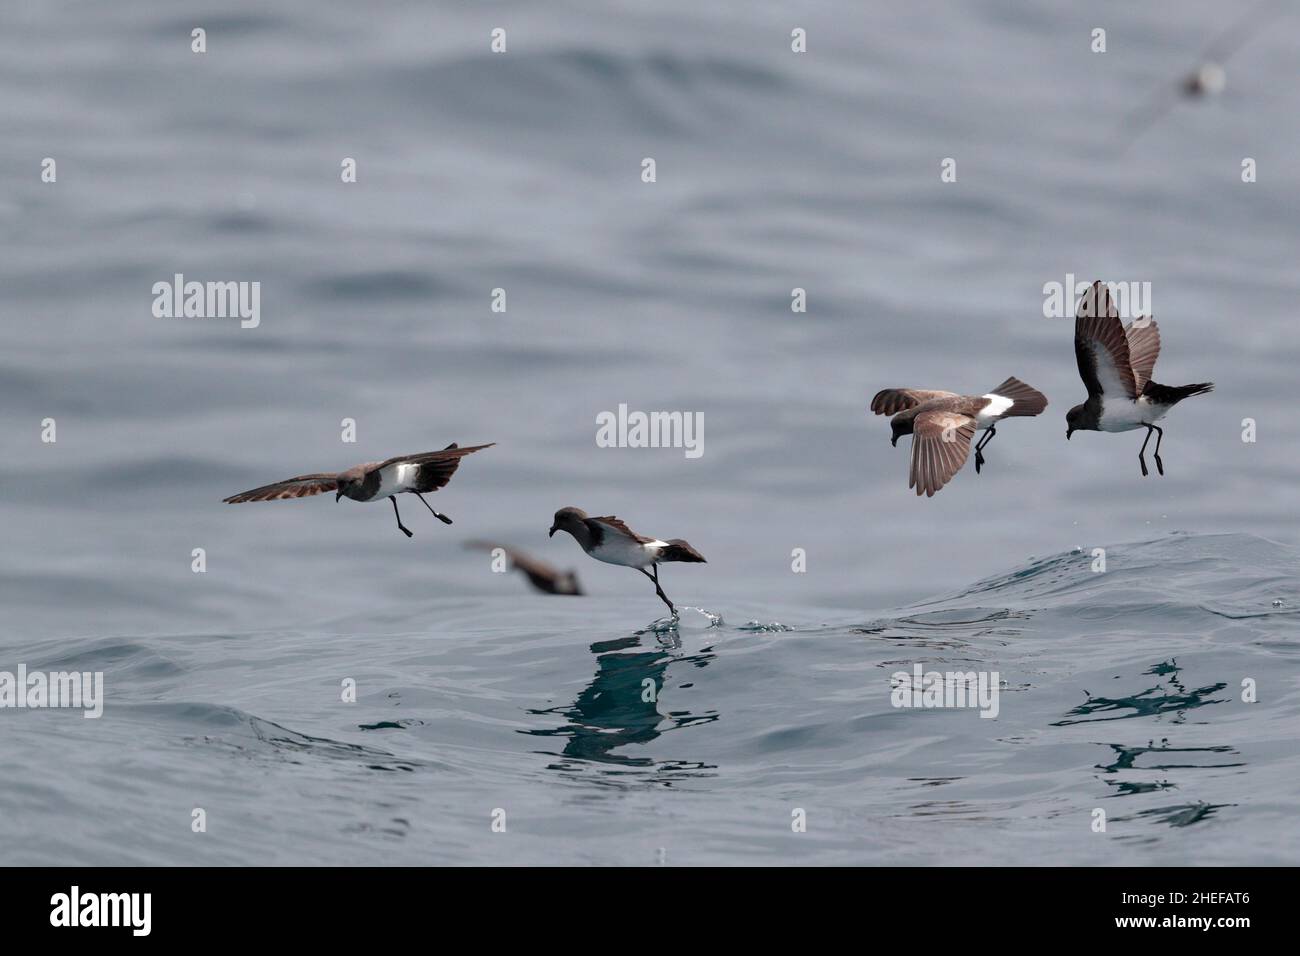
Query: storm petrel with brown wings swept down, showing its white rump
943,423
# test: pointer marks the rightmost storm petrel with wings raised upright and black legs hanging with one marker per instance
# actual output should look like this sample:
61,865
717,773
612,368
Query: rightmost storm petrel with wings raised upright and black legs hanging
1116,364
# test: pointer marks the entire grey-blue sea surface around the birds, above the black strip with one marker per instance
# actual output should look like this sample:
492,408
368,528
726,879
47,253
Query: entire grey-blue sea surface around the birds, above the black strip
522,171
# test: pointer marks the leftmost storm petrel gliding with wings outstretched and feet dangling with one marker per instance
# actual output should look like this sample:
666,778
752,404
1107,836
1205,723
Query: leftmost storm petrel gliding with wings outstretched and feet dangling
427,471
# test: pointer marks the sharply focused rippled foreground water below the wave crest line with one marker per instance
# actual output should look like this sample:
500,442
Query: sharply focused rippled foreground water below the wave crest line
1121,693
